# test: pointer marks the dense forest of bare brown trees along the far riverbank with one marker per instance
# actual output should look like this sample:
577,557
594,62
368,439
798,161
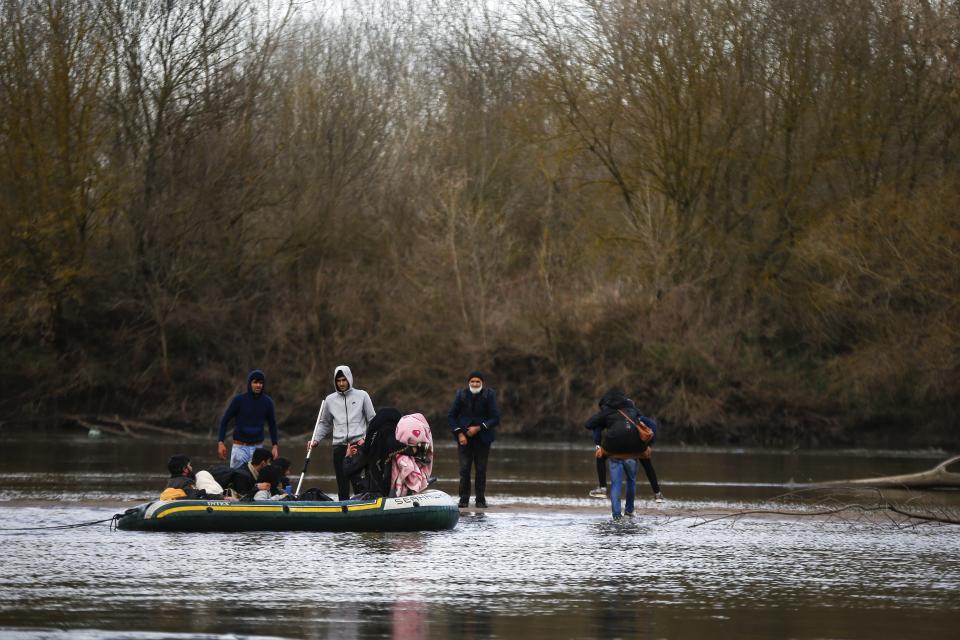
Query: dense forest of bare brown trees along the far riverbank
744,212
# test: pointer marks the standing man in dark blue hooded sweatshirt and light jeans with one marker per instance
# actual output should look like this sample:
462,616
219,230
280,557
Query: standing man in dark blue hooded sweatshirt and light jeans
249,410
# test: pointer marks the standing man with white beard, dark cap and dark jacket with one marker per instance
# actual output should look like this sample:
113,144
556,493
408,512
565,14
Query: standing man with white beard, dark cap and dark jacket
473,419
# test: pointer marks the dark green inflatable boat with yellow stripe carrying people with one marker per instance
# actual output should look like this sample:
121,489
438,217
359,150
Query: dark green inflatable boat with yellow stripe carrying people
427,511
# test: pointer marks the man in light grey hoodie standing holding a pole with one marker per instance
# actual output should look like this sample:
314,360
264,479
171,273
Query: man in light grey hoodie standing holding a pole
344,415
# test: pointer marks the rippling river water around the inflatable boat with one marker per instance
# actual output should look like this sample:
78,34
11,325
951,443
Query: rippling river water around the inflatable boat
545,561
